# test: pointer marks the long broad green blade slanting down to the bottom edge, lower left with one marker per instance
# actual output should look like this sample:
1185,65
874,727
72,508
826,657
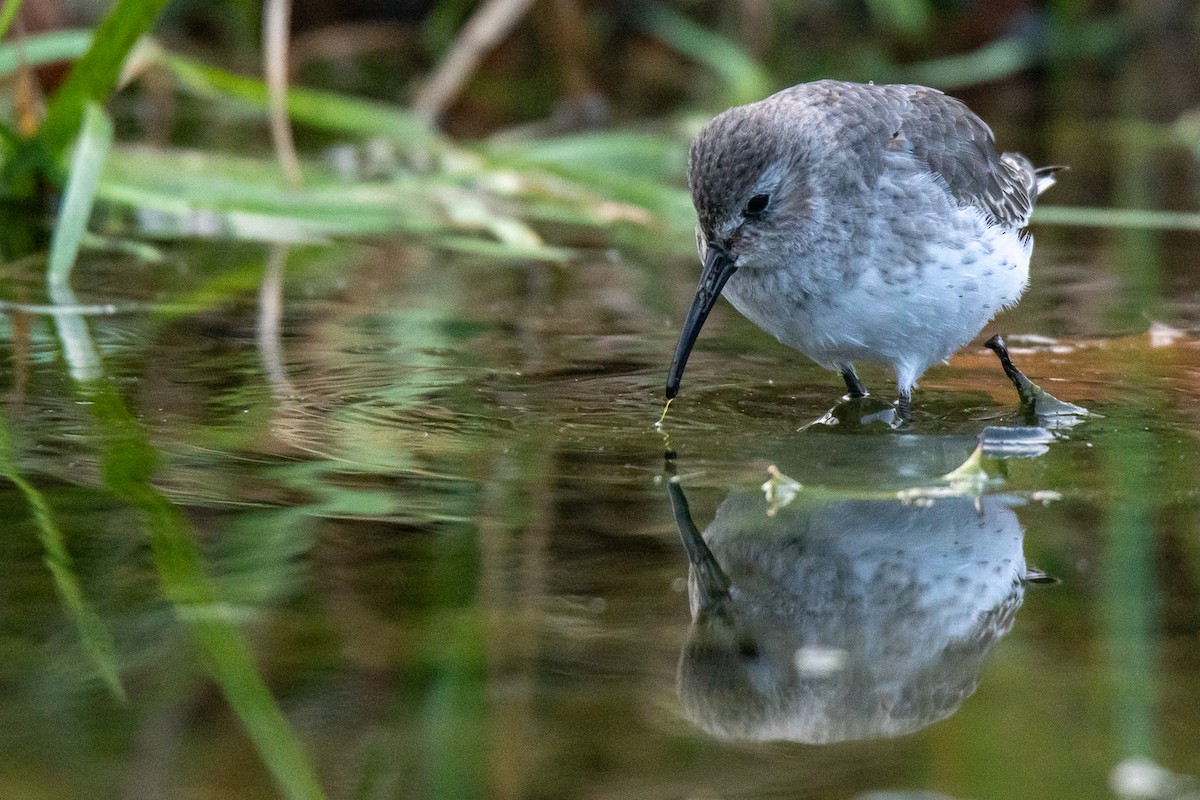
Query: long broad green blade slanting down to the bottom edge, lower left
128,465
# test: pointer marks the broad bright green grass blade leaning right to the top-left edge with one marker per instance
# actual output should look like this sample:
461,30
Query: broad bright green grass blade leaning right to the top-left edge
95,76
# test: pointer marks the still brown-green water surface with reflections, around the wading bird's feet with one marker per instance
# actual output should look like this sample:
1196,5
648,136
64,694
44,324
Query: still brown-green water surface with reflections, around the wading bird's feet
418,539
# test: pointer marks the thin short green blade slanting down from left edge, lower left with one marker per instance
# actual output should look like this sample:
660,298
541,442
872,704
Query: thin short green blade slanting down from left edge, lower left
97,639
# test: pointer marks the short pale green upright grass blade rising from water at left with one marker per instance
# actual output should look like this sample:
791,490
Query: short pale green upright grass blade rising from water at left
87,165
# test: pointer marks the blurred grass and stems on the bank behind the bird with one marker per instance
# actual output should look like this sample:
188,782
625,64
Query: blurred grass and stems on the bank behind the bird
524,129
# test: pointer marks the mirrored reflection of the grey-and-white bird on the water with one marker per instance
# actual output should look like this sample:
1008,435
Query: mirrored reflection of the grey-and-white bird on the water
841,619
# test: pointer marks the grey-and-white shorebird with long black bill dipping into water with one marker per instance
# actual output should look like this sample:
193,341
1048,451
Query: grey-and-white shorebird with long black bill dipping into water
860,224
